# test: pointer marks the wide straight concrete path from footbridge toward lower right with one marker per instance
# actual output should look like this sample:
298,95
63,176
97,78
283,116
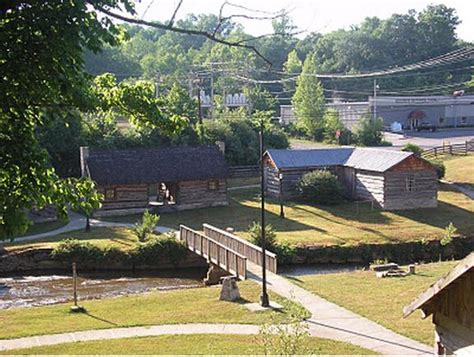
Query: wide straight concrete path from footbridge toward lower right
331,321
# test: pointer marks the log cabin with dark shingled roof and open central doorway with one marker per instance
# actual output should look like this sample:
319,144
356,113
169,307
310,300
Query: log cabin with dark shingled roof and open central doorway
158,179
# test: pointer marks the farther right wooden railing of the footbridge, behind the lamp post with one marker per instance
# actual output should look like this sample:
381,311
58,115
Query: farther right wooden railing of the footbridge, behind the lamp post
243,247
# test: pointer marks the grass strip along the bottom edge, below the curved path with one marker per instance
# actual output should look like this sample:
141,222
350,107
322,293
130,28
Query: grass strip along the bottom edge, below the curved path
188,344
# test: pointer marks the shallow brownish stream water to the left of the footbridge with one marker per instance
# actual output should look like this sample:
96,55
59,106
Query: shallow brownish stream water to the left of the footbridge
36,290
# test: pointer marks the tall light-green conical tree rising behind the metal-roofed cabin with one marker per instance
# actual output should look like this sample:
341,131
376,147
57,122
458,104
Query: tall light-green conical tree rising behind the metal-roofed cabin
308,101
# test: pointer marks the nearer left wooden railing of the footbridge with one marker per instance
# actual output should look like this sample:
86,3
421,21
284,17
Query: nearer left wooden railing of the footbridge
215,252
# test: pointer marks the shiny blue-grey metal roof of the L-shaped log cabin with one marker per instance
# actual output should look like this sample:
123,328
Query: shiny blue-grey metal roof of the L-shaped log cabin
371,159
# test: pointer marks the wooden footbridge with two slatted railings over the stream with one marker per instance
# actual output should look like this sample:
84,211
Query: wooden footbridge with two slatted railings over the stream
226,250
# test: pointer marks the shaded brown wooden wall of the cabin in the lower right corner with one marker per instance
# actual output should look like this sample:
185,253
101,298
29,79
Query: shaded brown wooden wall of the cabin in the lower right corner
454,314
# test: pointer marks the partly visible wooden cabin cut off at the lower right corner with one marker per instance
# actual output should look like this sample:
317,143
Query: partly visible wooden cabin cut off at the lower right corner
450,301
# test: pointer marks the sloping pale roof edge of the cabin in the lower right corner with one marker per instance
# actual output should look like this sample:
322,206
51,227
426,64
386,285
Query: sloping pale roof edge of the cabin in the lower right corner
466,265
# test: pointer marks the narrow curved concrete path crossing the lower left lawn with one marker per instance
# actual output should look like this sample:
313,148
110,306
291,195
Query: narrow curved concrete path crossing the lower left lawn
127,332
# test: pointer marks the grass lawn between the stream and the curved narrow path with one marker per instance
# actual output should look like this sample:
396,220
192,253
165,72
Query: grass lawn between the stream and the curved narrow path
155,308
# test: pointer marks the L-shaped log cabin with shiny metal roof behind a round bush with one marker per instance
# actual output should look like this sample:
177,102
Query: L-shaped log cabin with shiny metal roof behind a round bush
394,180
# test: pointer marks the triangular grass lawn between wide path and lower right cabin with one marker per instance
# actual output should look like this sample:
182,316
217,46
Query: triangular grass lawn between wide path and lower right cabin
381,300
